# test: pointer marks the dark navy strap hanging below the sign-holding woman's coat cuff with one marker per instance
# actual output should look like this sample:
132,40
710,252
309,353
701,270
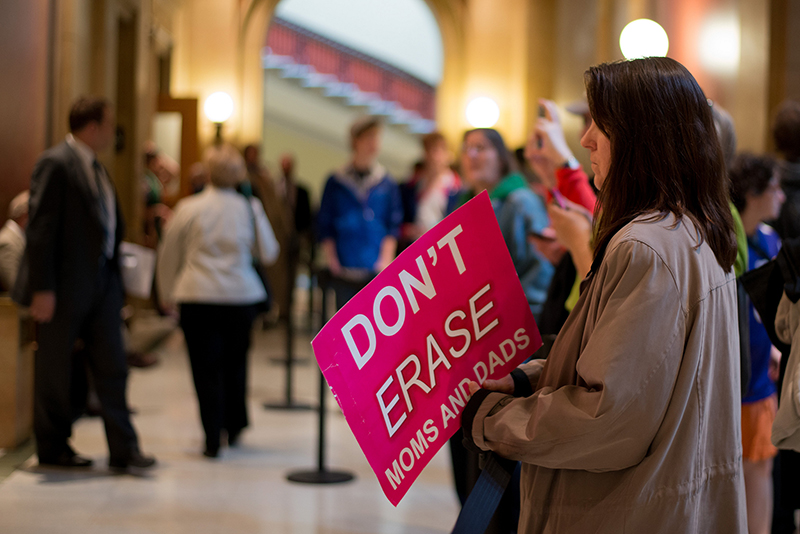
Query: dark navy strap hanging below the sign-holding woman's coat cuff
482,502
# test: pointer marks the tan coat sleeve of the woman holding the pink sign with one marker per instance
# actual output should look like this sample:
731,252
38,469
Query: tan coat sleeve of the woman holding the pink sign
626,372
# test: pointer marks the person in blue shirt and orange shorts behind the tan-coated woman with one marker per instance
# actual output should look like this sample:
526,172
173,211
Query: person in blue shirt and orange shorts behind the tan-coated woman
756,193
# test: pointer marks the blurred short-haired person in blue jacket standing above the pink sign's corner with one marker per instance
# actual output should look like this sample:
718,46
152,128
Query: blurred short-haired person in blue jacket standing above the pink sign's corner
360,214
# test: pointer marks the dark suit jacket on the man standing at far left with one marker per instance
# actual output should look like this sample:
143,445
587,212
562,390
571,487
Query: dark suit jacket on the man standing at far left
64,251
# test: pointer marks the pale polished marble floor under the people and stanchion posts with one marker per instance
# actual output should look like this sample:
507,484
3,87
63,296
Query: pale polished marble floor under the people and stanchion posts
245,491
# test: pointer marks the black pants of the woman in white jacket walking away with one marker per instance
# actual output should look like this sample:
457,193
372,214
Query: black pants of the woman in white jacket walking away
218,338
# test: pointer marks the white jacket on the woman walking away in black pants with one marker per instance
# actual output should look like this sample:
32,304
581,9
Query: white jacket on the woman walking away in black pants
206,255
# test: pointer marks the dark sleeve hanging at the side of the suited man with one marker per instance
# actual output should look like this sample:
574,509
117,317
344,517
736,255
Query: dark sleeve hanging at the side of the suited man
46,210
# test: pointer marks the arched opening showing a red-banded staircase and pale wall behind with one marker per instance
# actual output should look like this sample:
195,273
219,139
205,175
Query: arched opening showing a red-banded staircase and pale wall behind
327,63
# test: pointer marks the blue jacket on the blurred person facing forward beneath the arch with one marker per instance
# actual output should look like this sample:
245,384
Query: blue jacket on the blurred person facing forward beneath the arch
358,214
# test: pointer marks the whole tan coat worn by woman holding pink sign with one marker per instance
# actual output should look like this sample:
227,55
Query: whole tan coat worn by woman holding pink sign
634,425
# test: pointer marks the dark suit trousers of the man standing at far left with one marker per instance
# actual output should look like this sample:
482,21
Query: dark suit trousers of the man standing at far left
94,318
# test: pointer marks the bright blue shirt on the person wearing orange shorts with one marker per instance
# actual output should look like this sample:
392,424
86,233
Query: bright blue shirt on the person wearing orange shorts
761,247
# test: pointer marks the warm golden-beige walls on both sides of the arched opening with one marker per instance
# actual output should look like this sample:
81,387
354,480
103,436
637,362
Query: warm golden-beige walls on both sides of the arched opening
512,50
